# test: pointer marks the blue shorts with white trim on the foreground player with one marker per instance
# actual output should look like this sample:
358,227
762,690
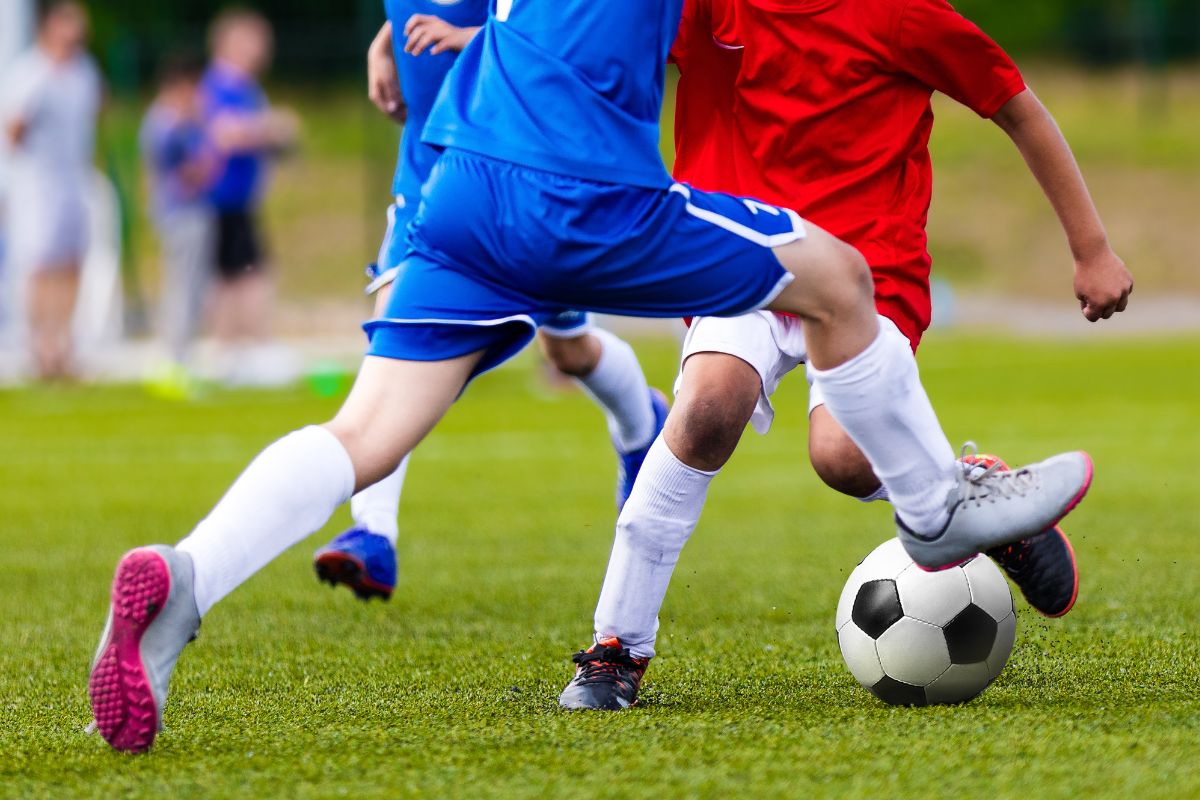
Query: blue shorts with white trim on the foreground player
497,250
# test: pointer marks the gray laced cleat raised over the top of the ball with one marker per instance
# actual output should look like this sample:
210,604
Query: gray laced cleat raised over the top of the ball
993,508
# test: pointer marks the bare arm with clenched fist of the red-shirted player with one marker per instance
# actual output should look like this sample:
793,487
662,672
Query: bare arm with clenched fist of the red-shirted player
1103,285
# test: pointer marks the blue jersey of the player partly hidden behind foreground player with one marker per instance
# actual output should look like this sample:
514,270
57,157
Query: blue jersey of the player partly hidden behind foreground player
421,80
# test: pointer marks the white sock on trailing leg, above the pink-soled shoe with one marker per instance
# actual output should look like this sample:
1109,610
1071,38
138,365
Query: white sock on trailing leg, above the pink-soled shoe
287,494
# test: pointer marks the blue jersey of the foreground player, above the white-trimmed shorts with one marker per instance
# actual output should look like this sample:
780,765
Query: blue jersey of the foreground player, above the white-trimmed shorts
568,87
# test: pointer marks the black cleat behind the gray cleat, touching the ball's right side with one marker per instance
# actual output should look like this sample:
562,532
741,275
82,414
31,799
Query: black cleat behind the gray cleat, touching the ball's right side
1042,567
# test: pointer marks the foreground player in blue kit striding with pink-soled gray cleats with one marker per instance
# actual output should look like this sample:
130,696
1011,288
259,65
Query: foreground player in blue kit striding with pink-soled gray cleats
550,196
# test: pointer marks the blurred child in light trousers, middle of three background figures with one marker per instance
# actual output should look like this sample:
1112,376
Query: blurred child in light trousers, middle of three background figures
182,166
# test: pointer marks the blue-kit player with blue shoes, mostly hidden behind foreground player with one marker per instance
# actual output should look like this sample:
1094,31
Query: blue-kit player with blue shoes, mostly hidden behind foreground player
406,67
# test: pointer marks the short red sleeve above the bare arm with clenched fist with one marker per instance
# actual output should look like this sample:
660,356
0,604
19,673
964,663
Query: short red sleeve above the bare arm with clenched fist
947,52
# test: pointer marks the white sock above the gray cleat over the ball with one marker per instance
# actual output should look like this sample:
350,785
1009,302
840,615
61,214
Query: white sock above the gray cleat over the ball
878,399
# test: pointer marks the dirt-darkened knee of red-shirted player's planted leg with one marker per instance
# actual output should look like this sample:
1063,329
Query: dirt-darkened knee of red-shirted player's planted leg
711,413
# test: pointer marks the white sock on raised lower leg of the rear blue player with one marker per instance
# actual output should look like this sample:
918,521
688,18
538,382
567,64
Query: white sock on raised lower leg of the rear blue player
619,387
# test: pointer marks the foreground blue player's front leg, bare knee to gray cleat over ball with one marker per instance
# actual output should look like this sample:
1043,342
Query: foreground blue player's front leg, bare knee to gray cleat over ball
872,387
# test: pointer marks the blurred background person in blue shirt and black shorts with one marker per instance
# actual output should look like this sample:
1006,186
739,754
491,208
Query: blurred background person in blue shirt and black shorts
247,134
